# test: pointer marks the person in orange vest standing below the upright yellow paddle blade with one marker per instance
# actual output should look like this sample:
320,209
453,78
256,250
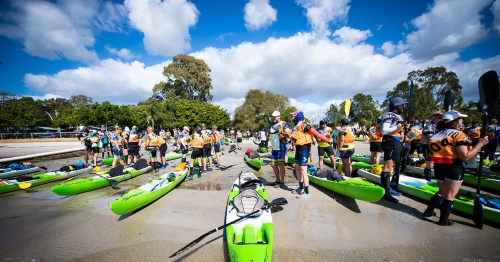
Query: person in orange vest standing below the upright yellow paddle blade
345,141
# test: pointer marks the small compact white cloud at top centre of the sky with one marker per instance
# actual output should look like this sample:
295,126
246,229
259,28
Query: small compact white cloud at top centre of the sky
259,14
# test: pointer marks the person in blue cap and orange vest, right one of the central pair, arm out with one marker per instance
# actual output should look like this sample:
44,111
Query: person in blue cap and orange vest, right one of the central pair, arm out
302,137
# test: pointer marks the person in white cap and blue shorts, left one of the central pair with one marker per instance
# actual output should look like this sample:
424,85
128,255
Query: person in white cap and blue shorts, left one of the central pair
279,133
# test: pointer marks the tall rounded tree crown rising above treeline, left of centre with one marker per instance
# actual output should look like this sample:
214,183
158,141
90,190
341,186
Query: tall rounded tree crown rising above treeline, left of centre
187,78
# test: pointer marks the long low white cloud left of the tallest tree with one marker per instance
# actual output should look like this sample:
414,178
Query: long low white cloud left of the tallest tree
110,80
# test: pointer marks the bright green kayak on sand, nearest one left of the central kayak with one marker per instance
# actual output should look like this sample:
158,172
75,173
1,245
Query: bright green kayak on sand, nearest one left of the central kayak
149,192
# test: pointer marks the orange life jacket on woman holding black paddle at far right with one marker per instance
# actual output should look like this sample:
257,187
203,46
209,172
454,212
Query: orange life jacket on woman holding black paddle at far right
443,145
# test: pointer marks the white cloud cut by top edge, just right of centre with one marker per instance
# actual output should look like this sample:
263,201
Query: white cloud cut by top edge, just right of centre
320,13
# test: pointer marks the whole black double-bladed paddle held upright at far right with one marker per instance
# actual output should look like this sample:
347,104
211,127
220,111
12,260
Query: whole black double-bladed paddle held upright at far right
488,91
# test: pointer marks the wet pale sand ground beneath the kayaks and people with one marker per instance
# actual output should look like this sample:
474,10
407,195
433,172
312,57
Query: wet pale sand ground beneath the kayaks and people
39,224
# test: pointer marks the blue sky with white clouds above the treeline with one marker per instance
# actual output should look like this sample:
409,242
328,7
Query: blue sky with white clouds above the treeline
315,52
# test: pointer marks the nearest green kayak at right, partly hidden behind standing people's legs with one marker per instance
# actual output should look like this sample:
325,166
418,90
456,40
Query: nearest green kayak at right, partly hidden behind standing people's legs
425,190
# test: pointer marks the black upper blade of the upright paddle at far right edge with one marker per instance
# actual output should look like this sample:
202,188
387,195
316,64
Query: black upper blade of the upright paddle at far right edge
488,90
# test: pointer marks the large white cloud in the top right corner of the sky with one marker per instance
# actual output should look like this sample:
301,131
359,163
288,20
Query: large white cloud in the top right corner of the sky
449,26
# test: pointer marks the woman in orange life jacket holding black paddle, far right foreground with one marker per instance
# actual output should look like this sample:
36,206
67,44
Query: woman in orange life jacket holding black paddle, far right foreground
449,148
